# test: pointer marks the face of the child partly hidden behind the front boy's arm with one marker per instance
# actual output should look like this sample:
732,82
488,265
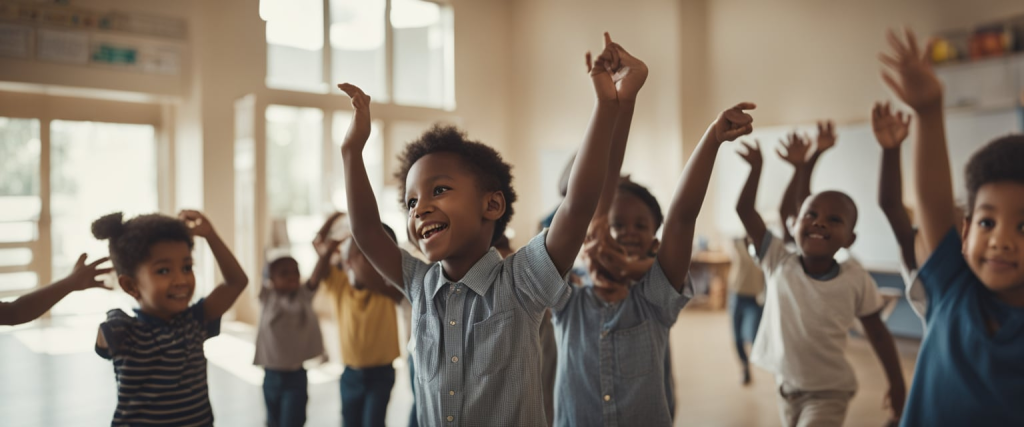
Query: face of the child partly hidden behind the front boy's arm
632,225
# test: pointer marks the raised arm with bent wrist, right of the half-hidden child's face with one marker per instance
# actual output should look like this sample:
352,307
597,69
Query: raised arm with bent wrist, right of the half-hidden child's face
677,238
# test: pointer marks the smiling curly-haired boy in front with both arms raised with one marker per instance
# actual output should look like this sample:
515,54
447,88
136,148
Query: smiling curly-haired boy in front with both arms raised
476,332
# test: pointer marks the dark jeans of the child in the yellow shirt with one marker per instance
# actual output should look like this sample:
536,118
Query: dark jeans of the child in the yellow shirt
365,395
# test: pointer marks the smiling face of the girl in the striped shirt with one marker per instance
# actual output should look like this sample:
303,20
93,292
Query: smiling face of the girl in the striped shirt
164,284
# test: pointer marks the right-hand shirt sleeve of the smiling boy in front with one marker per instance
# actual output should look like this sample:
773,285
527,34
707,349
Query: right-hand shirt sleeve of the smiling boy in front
536,278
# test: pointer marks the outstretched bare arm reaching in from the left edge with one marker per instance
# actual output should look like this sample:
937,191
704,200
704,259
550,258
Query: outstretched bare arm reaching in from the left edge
32,306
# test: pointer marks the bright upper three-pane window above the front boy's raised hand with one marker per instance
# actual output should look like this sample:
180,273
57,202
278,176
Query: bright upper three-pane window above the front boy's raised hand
399,52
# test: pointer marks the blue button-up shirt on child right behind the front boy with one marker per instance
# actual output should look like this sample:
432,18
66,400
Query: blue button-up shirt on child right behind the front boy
612,358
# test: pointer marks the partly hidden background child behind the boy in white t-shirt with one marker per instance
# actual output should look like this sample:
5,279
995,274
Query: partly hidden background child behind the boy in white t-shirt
746,284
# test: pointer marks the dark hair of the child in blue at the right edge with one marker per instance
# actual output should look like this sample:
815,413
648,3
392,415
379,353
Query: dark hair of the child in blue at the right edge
1001,160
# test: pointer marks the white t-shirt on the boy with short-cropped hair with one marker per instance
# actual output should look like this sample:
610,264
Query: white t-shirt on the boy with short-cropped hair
804,328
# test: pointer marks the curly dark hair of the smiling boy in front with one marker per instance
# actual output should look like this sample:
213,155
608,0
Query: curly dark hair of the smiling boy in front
493,174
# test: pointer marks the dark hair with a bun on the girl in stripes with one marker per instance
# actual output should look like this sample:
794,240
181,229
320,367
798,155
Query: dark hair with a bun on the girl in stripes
131,241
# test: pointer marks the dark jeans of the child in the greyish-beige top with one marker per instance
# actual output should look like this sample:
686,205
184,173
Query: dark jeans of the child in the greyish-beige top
285,394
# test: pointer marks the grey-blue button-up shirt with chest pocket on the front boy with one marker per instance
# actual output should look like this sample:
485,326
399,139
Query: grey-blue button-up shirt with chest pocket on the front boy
477,340
